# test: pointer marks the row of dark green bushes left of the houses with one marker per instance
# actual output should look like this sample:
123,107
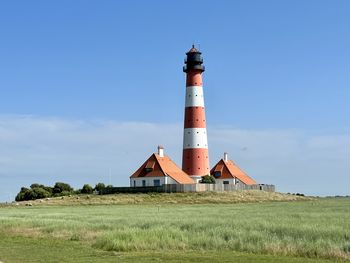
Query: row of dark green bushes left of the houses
39,191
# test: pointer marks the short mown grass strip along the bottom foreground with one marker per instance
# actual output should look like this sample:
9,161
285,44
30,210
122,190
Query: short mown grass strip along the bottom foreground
29,250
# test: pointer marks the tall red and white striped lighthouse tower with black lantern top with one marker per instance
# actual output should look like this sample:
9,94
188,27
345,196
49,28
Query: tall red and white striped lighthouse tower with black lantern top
195,158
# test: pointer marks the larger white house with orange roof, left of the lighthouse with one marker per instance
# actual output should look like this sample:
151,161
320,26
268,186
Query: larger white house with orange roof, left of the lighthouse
157,170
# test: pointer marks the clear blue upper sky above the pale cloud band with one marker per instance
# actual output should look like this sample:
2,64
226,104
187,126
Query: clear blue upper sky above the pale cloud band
271,65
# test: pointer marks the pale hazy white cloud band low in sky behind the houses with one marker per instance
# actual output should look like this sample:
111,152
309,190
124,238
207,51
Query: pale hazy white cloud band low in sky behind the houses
46,150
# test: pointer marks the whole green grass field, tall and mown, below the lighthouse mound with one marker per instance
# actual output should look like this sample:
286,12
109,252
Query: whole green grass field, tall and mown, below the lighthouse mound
313,230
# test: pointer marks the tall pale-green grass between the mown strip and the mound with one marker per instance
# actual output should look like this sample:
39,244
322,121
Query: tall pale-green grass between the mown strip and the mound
312,229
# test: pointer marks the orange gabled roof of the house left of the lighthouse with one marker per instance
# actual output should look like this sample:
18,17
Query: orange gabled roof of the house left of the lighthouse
162,166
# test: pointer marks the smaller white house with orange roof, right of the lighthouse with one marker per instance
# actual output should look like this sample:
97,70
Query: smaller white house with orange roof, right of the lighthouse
227,172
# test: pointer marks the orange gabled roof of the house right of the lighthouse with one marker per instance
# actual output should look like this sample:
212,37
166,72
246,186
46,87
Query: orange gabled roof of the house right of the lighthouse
229,169
